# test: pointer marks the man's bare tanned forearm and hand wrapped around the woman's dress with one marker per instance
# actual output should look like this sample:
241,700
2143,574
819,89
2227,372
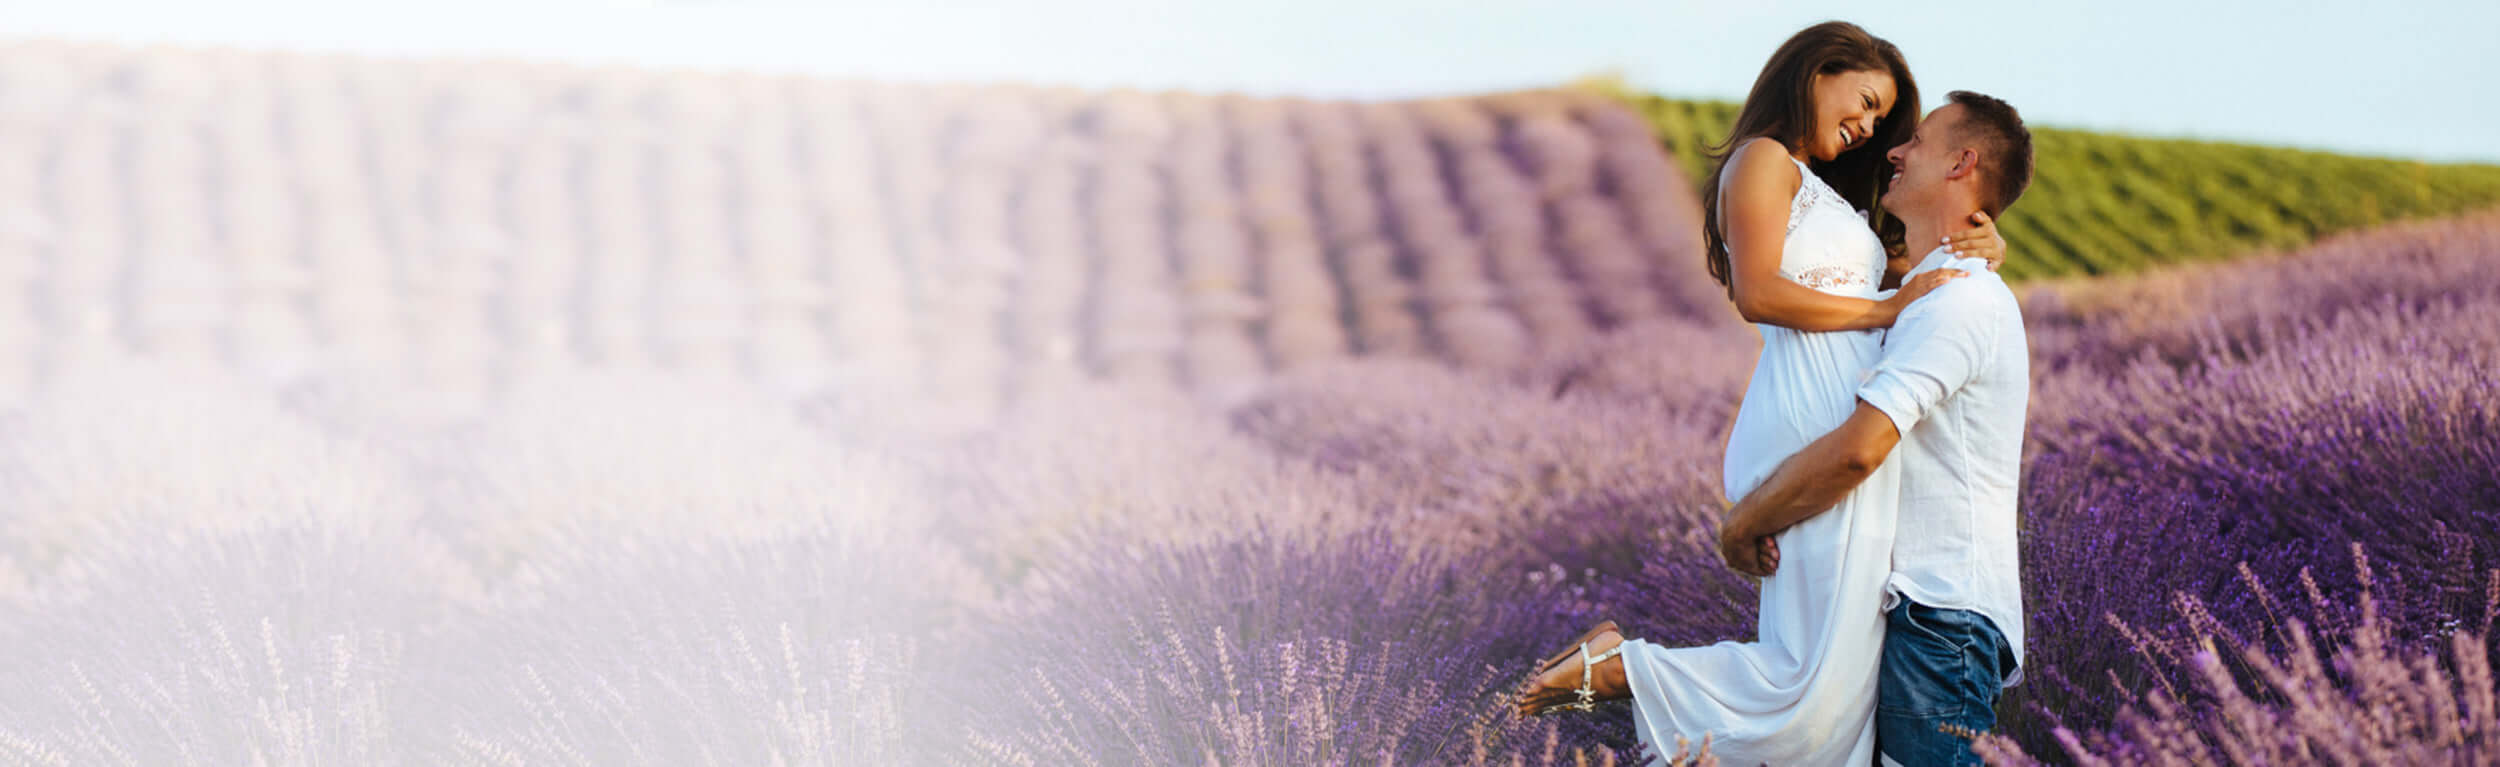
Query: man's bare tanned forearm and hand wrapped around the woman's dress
1816,478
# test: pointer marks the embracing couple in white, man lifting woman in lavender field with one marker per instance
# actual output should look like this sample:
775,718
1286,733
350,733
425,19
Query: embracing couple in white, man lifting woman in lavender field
1876,456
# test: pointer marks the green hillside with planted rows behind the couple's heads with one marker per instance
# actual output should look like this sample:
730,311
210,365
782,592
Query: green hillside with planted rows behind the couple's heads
2111,204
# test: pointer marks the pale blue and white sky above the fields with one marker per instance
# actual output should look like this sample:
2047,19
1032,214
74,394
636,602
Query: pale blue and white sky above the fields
2376,79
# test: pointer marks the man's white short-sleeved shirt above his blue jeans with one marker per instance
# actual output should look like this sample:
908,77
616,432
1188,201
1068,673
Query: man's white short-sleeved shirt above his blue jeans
1956,381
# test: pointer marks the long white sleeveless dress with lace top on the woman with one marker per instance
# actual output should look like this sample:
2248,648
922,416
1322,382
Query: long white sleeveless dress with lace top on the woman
1804,693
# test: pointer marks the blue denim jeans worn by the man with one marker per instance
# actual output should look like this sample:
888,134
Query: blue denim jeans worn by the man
1939,683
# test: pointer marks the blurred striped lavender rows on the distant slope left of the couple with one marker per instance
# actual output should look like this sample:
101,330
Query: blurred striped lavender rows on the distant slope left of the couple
464,221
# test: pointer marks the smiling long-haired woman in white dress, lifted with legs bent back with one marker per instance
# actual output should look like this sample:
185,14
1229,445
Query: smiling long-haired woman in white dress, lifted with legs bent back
1801,264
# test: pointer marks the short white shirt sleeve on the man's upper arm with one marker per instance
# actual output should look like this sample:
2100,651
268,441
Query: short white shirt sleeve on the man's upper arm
1934,349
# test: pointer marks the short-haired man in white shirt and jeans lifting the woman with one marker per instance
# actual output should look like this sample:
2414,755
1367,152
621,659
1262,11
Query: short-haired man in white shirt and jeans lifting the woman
1949,391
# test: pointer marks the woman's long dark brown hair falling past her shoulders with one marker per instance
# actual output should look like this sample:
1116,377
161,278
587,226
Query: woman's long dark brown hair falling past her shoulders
1784,109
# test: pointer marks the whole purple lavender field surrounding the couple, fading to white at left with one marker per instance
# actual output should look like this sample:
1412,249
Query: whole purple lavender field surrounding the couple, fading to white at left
509,413
